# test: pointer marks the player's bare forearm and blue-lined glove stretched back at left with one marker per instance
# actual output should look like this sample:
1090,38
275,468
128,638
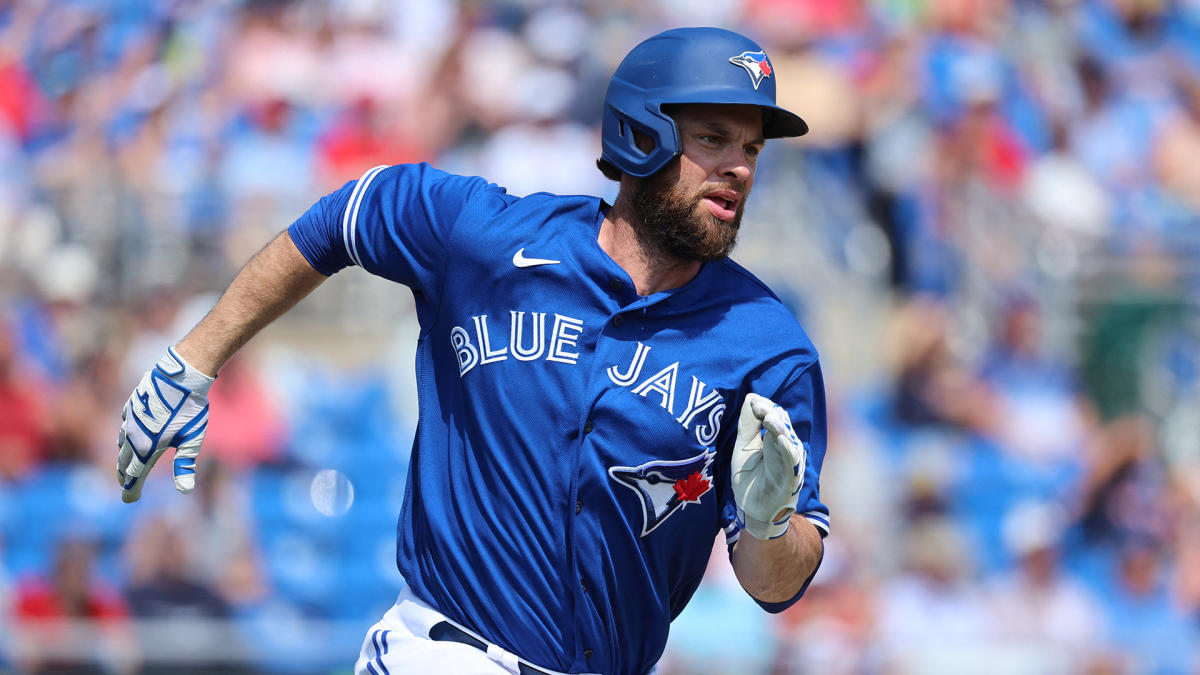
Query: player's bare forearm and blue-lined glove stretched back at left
170,408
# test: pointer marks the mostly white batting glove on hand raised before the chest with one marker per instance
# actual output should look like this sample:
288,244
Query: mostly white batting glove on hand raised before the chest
767,468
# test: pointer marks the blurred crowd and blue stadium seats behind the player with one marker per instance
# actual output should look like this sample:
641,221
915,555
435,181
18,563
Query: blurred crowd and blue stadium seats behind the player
991,232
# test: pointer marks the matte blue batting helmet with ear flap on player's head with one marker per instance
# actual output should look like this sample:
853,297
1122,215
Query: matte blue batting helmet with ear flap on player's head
685,65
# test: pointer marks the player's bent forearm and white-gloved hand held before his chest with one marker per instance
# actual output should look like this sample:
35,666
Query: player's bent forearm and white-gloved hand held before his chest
779,551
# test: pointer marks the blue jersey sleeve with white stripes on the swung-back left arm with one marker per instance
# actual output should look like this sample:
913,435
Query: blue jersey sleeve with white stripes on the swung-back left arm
394,222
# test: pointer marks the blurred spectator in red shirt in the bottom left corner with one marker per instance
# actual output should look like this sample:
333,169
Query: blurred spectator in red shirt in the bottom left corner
69,622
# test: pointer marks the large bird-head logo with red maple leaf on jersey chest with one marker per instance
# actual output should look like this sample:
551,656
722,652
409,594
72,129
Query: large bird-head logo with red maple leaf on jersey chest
667,487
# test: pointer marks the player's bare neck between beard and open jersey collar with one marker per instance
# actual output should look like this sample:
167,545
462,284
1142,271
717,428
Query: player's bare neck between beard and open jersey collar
651,270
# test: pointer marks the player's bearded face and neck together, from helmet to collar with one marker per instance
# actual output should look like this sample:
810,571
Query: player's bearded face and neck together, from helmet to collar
664,228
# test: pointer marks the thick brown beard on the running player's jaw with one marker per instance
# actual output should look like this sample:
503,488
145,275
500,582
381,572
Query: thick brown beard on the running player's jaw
673,226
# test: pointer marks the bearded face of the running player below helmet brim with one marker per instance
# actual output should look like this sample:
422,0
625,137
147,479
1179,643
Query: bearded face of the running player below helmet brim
693,208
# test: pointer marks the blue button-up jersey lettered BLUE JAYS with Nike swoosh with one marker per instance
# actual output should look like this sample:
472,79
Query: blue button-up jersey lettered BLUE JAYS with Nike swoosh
571,469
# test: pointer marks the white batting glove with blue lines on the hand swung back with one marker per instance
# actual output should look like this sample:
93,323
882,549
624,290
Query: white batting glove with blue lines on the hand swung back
170,409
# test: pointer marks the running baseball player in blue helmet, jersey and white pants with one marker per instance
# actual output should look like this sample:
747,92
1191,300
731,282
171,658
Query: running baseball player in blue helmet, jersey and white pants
602,390
